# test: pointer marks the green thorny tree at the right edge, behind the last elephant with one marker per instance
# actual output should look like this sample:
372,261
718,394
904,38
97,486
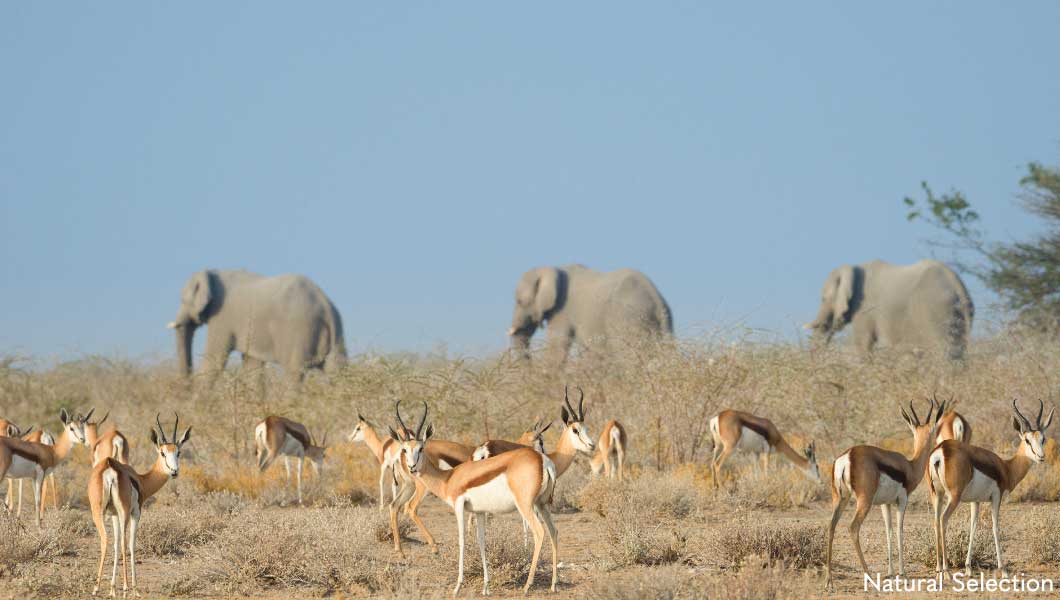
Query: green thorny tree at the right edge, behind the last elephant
1024,275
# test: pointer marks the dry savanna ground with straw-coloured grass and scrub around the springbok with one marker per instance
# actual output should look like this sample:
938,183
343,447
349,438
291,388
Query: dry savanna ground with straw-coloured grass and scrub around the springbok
224,531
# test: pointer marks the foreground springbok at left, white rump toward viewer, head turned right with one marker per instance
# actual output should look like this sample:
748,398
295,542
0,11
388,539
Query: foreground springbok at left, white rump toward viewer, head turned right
117,490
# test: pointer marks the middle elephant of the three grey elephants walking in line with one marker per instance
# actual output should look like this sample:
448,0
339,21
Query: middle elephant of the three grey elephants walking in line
587,307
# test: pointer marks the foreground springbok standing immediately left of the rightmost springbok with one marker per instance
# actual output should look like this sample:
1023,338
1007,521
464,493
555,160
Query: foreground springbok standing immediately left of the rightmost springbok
874,477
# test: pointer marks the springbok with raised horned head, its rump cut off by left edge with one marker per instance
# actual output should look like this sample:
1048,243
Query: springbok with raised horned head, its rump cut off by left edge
22,460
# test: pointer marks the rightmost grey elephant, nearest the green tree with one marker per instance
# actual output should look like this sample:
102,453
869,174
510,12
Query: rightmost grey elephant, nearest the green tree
924,306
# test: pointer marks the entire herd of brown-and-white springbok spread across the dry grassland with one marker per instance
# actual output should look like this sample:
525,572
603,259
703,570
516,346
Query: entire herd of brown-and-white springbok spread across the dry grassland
501,477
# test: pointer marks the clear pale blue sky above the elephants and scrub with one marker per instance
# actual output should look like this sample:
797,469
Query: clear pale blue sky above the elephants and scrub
416,158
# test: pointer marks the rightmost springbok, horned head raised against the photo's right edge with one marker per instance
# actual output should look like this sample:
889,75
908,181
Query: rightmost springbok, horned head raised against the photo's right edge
965,473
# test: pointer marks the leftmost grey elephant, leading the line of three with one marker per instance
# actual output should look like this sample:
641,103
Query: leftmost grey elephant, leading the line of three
286,320
